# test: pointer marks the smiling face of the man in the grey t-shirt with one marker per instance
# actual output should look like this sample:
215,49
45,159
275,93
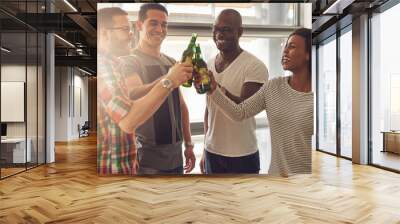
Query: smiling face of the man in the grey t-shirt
153,29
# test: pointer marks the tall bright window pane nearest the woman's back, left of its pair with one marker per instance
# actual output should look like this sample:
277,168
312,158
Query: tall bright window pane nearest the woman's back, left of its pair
327,96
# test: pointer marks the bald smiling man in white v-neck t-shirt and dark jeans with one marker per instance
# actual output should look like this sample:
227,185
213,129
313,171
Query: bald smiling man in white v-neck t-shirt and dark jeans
231,146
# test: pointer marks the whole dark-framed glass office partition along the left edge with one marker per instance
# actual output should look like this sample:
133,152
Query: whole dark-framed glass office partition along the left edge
22,80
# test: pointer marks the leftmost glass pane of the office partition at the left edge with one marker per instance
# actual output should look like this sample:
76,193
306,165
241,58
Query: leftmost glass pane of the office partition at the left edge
13,83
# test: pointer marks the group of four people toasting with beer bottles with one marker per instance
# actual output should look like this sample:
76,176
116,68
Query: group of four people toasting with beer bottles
143,120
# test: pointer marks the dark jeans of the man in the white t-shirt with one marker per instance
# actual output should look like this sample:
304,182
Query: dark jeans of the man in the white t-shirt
221,164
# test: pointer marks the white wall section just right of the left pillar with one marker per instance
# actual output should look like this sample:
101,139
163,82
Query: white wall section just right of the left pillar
69,85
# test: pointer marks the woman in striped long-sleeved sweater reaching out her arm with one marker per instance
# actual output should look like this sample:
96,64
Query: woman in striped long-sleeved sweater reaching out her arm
289,104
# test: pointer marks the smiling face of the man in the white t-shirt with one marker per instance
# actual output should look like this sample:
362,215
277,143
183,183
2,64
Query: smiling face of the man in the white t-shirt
226,32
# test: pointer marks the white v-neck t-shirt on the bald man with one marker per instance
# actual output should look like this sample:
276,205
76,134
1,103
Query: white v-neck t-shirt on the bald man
224,136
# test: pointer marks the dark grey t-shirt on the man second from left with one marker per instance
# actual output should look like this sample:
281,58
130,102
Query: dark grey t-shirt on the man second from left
160,137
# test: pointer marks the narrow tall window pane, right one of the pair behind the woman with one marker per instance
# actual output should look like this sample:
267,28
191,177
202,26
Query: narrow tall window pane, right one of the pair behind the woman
346,93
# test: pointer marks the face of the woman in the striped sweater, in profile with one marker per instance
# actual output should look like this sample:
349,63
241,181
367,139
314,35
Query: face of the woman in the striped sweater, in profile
295,55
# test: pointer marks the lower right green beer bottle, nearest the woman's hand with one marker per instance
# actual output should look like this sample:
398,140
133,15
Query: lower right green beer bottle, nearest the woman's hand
201,77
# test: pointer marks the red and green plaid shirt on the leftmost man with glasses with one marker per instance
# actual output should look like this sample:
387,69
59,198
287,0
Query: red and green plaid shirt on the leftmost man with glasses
116,149
